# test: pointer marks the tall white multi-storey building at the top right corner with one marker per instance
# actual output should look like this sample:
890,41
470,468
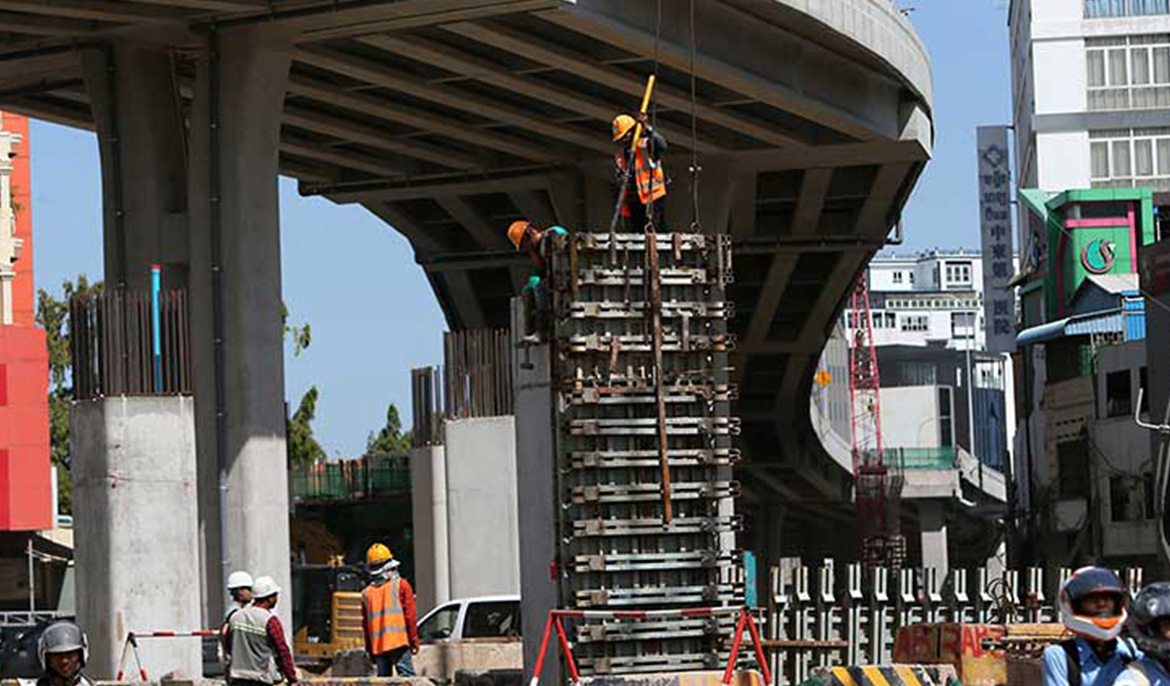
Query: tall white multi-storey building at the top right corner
1091,83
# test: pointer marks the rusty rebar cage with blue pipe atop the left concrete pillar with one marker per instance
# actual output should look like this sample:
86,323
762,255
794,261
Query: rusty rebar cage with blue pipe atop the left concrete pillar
118,351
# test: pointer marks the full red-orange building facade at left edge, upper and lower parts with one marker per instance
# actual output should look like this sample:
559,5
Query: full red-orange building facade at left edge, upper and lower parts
26,496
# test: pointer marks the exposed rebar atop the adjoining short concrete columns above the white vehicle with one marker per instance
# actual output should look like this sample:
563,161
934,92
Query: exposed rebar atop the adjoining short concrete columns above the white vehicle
476,381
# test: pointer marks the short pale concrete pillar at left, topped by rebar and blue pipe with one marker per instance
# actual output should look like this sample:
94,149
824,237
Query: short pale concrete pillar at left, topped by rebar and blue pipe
134,491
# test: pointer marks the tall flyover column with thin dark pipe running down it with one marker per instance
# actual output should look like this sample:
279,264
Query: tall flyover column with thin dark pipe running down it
236,296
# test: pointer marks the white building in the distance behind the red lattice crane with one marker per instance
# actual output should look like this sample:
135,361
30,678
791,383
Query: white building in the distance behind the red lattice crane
930,299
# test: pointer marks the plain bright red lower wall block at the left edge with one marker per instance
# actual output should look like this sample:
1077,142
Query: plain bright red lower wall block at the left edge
26,497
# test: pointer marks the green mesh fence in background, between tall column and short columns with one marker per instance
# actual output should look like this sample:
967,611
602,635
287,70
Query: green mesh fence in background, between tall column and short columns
349,481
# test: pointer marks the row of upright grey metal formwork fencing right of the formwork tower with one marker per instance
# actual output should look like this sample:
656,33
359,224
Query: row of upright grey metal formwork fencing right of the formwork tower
843,603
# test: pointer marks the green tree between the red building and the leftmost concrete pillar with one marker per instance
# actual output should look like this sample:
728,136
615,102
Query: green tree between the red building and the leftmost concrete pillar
53,315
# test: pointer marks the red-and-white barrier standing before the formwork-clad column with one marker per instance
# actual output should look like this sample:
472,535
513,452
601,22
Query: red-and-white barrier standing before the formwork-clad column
745,621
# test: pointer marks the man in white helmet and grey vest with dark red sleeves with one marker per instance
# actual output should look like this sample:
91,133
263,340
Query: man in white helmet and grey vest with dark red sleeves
257,650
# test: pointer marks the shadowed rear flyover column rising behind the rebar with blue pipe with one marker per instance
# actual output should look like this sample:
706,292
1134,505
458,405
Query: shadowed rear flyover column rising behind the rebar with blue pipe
143,147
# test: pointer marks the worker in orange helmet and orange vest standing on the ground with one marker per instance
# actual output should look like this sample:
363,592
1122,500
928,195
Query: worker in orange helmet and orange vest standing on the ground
389,620
